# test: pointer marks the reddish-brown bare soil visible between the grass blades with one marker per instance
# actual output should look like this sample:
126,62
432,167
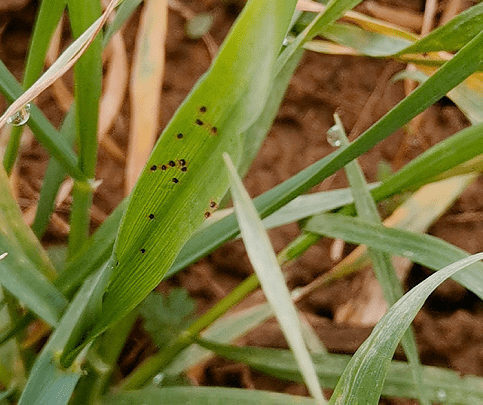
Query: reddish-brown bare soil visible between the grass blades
450,327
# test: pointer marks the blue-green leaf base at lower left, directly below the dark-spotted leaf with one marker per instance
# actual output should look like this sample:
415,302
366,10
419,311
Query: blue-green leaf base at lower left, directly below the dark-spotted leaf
48,379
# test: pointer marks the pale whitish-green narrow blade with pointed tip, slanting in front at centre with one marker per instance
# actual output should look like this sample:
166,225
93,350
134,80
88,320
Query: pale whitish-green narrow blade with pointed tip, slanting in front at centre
264,262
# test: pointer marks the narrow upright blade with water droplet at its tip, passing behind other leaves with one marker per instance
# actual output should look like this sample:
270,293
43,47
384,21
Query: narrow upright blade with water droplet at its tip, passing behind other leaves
382,263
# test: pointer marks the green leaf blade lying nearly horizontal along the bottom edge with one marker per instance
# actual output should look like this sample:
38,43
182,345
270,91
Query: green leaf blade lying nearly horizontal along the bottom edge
204,396
